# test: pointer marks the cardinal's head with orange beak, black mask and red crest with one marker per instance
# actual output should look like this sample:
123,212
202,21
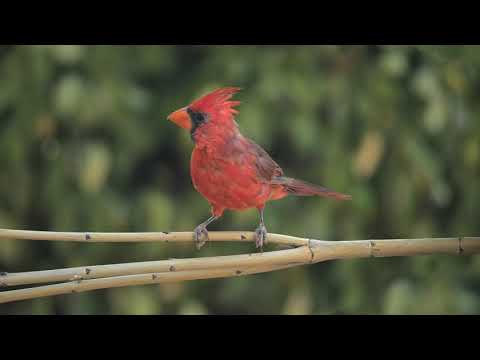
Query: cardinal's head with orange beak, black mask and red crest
214,107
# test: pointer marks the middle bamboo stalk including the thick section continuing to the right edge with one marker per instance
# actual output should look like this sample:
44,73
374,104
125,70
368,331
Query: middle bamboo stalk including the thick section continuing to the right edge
320,250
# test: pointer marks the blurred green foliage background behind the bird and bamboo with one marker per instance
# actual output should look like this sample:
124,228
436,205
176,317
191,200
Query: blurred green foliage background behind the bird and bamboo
85,146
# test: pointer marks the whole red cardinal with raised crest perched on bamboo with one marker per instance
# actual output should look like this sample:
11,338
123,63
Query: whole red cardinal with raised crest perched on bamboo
231,171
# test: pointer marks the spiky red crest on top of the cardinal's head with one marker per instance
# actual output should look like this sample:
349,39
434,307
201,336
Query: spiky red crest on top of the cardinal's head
217,102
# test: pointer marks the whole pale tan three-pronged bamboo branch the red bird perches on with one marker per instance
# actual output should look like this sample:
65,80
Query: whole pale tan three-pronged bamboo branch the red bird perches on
309,251
